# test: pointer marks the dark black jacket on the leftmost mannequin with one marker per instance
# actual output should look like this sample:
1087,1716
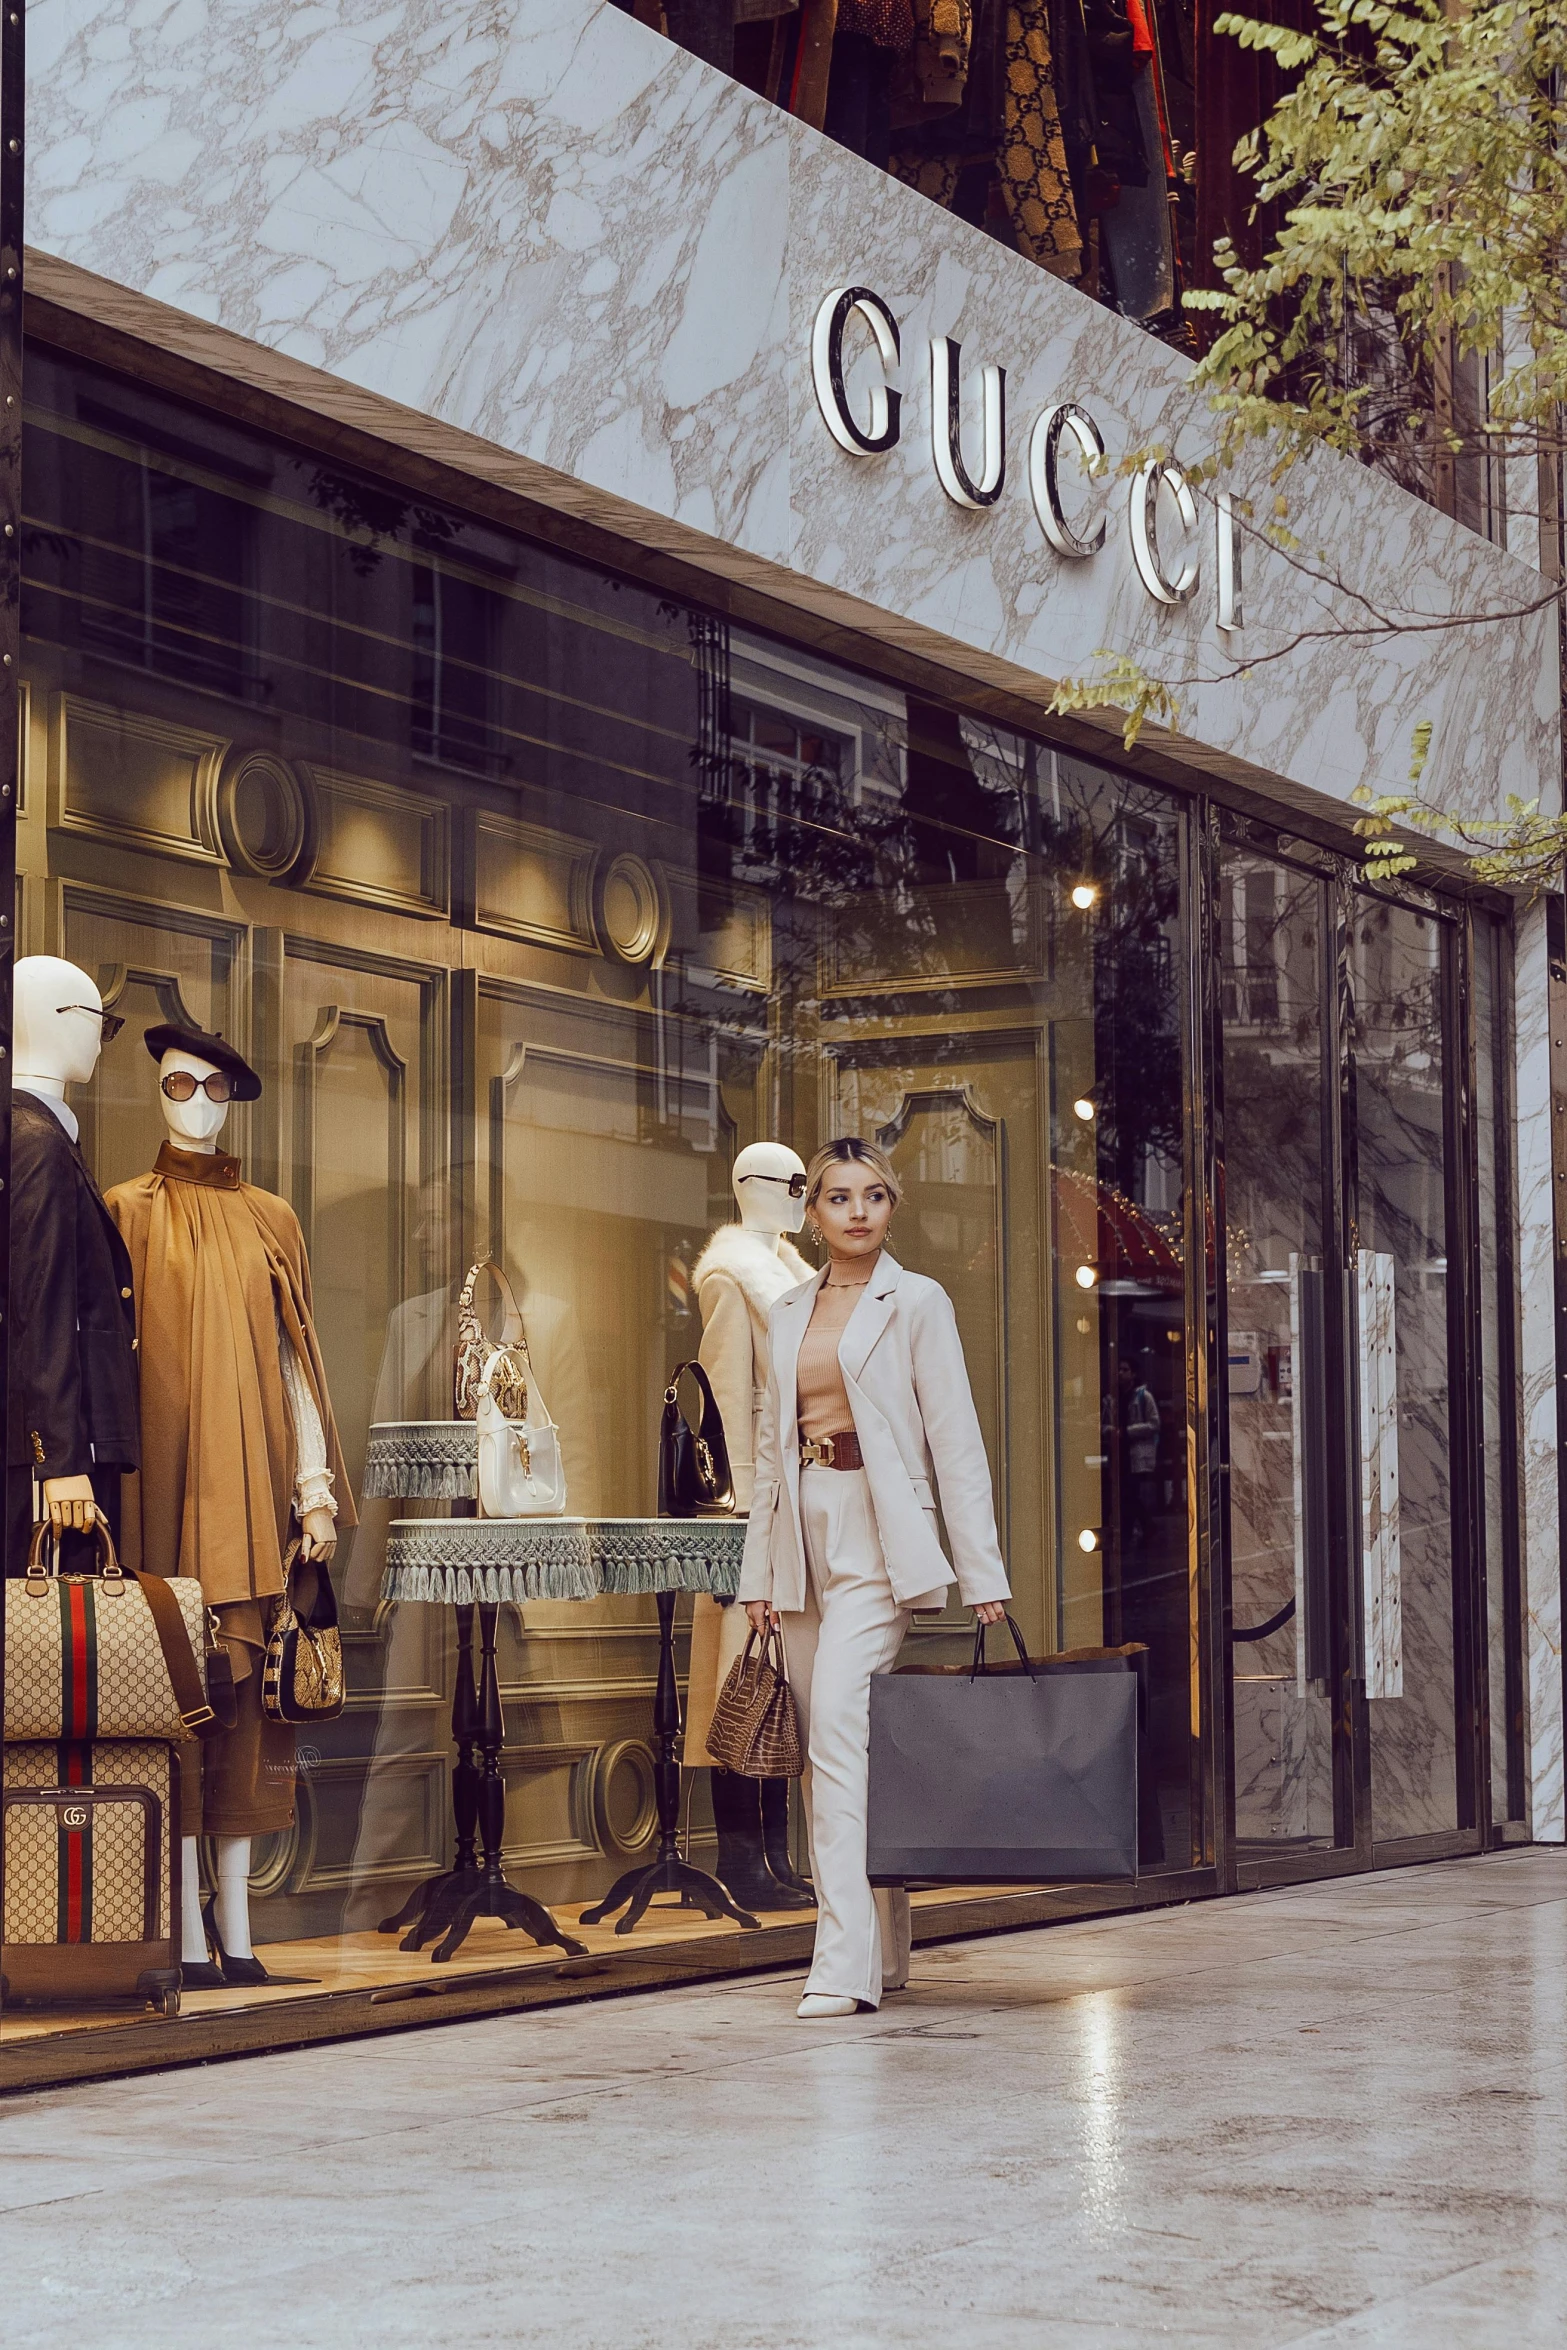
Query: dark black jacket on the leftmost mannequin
74,1317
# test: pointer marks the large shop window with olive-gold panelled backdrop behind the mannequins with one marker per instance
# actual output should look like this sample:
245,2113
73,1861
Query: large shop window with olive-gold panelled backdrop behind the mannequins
534,899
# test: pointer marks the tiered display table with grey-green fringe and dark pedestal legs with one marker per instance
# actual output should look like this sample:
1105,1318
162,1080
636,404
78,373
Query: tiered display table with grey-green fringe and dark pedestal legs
473,1564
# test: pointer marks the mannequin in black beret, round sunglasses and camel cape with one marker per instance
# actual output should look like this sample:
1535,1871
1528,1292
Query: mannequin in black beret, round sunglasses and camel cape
238,1449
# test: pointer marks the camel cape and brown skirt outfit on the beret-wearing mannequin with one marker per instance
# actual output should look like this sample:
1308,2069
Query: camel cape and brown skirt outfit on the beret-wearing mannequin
236,1435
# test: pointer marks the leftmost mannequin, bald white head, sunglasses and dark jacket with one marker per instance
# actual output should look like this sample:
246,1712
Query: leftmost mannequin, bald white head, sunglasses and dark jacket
74,1322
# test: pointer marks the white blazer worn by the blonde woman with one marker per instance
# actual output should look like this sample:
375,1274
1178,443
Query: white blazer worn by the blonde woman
915,1416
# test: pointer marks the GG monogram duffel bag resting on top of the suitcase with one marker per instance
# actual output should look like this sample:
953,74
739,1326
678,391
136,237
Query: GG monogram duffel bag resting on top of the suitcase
109,1656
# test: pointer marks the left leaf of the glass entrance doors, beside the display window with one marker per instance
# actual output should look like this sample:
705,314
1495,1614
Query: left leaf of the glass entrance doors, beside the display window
1291,1658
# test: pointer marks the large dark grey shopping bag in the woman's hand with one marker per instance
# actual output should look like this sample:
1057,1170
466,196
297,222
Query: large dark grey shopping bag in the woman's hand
1004,1775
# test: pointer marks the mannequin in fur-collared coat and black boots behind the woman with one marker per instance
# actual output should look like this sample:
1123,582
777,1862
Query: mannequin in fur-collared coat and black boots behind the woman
739,1280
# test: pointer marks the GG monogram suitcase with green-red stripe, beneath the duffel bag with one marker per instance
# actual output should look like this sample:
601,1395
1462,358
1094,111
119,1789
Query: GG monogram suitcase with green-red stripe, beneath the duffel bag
90,1872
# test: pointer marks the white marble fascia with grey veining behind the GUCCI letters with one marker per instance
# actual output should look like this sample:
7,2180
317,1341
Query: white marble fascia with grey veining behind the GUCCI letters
567,239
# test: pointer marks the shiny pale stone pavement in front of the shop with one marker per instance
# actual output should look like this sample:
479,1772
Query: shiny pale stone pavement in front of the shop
1324,2116
